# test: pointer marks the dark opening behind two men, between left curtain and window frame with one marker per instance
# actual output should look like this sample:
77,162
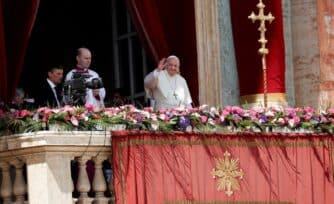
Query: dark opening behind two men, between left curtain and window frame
61,27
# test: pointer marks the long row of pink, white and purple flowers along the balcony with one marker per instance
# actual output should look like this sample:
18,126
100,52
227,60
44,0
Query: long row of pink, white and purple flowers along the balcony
203,118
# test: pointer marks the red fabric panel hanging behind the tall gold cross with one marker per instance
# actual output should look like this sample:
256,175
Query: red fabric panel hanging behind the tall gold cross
246,36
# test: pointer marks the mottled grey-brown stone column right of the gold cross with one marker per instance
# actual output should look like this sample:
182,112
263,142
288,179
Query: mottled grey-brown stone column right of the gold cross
306,53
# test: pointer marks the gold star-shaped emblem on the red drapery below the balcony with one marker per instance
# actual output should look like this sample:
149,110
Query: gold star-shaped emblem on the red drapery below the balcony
228,173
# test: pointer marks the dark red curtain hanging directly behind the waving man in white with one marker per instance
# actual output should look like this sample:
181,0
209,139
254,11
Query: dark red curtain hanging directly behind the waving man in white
168,27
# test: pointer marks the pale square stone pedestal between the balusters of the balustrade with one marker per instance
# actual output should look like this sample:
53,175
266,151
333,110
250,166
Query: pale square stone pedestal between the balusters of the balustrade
49,178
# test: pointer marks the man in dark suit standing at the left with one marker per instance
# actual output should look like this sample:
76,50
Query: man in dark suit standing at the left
49,92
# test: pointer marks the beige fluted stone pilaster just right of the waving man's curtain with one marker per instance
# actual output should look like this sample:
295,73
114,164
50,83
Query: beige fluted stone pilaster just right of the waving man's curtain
208,52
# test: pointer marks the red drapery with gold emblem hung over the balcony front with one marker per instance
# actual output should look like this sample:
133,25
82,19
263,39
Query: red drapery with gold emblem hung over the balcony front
178,168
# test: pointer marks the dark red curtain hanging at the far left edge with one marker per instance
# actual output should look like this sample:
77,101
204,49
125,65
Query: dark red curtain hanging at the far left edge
16,21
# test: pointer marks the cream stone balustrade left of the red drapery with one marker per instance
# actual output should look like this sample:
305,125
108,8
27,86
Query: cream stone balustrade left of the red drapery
36,168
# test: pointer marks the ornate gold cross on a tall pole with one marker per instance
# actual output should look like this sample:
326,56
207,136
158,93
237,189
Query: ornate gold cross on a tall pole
263,50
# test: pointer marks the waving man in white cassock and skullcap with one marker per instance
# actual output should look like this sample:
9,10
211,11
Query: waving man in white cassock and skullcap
166,86
